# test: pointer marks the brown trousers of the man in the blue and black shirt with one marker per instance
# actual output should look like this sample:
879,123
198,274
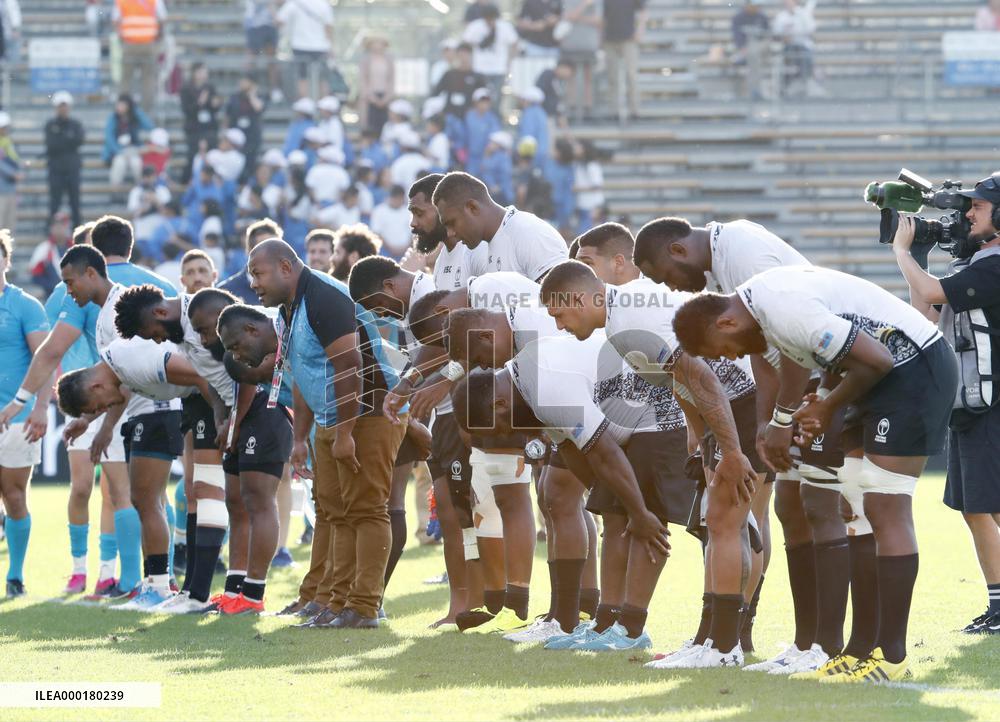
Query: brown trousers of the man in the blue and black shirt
352,536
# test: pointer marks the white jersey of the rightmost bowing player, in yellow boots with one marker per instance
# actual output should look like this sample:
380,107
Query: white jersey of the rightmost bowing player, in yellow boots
813,315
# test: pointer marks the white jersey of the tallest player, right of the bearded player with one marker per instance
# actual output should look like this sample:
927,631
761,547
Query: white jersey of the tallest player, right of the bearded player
526,244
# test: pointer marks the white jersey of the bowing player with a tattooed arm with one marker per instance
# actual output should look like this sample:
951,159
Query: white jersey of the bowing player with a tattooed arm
639,323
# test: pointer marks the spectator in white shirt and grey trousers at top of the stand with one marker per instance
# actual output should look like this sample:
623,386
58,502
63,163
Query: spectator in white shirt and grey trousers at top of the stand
309,27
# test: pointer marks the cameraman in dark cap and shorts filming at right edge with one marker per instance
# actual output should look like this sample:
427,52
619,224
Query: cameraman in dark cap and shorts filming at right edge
968,300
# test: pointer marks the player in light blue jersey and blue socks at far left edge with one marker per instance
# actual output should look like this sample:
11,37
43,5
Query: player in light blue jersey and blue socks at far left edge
22,329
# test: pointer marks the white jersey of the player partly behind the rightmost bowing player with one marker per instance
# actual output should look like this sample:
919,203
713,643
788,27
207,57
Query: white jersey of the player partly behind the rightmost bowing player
741,250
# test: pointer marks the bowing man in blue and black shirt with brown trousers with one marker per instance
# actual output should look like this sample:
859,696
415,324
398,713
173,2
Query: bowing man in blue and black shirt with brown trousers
340,371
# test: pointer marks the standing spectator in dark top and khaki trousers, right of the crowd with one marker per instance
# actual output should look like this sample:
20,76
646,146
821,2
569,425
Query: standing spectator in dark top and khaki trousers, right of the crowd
624,27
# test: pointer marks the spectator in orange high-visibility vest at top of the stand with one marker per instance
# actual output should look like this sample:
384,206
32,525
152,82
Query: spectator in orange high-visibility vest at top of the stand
140,28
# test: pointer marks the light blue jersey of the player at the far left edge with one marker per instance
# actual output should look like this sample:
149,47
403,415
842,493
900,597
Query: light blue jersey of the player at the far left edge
20,314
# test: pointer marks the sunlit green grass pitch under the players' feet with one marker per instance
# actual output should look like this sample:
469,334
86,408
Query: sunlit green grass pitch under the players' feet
244,668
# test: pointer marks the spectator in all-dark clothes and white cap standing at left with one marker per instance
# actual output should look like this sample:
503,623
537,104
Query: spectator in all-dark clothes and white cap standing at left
63,138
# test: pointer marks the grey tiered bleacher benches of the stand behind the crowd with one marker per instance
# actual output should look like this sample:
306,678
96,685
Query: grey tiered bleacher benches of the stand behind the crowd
700,150
